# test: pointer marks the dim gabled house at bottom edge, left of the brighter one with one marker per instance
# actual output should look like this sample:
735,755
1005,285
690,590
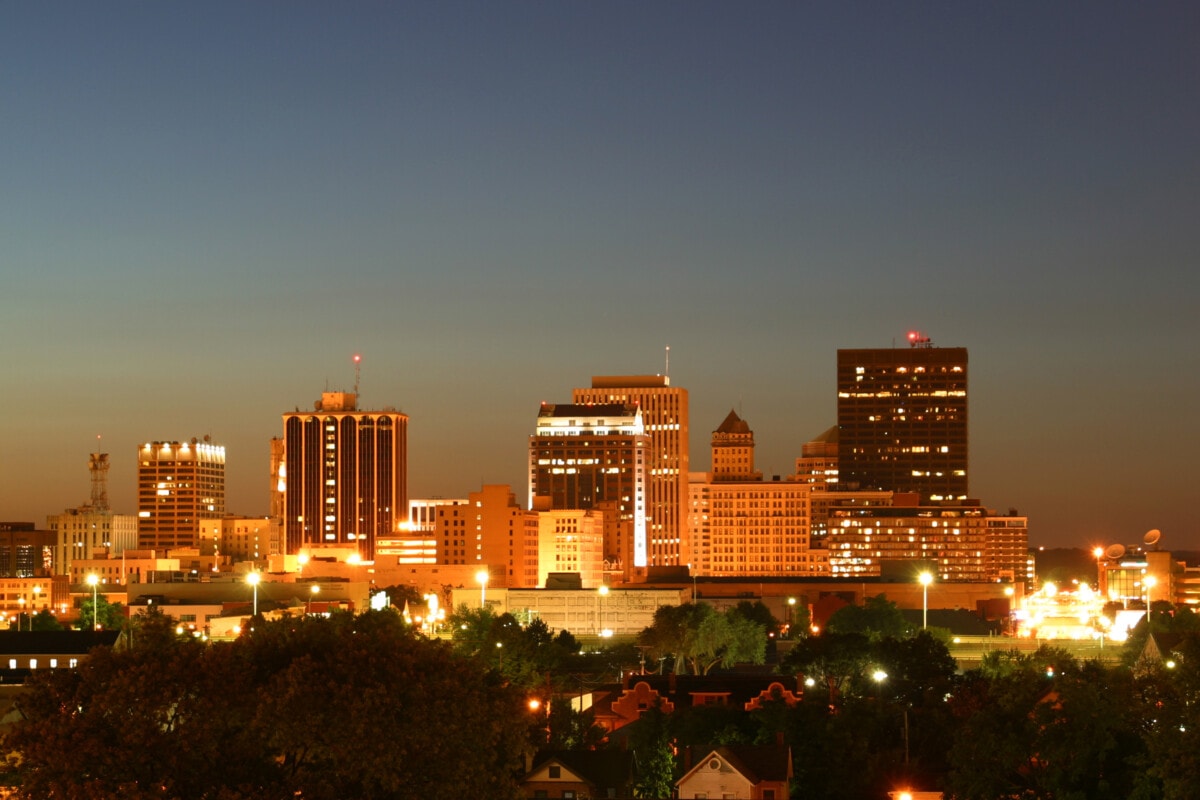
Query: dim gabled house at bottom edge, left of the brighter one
581,775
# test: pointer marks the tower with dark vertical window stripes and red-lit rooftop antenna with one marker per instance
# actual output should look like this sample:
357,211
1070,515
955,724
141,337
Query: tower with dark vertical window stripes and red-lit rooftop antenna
344,476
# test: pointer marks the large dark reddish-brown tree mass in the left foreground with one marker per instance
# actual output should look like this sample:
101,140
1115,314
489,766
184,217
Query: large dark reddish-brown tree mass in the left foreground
297,708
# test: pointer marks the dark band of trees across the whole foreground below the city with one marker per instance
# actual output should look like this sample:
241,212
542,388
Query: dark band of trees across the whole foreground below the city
363,707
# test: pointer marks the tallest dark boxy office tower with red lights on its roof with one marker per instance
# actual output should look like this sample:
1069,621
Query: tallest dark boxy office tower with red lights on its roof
903,420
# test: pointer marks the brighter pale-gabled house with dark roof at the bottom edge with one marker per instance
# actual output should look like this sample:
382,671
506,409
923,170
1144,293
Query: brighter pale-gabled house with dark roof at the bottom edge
737,773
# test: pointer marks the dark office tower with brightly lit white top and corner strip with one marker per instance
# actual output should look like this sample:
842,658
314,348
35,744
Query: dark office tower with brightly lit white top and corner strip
593,459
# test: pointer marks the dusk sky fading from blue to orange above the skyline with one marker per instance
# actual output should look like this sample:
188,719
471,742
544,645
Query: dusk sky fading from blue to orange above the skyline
208,209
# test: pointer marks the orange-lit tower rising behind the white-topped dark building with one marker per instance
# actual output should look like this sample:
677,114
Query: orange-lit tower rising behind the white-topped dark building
665,418
